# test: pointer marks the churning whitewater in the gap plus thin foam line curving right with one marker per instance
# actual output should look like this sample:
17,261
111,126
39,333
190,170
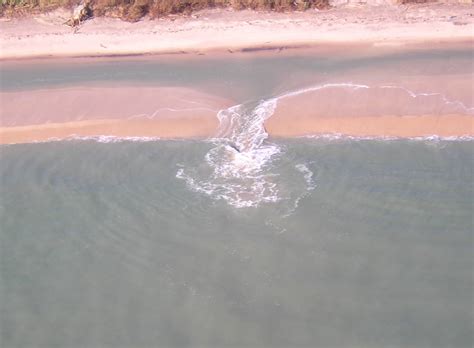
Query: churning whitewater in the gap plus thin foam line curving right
242,167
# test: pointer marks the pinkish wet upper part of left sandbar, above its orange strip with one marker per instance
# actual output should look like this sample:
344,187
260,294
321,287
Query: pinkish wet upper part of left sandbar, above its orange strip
71,104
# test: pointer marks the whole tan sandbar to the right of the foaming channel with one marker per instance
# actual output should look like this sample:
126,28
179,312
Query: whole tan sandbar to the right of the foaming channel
383,111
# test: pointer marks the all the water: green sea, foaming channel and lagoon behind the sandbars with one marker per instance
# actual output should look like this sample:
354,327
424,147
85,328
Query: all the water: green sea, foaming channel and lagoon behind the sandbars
241,240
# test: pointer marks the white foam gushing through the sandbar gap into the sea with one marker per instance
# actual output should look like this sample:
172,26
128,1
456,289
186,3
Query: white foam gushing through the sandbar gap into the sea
239,162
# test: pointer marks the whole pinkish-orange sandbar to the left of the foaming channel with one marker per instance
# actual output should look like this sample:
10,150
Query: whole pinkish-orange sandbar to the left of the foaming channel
138,111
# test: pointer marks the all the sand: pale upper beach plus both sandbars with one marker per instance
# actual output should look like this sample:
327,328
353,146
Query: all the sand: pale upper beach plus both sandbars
177,112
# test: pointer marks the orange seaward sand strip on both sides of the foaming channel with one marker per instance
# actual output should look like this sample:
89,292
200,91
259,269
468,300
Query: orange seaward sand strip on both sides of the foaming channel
402,128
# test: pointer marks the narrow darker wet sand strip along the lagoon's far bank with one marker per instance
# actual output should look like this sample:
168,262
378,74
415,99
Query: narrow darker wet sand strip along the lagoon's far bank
360,49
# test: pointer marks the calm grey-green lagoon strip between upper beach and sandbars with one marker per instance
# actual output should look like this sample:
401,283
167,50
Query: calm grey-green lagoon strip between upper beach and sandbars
241,77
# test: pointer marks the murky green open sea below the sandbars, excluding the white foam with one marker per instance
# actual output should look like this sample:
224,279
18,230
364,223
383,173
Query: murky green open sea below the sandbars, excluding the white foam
102,246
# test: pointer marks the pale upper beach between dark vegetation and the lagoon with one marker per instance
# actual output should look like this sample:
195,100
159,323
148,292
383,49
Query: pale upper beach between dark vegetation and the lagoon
221,31
